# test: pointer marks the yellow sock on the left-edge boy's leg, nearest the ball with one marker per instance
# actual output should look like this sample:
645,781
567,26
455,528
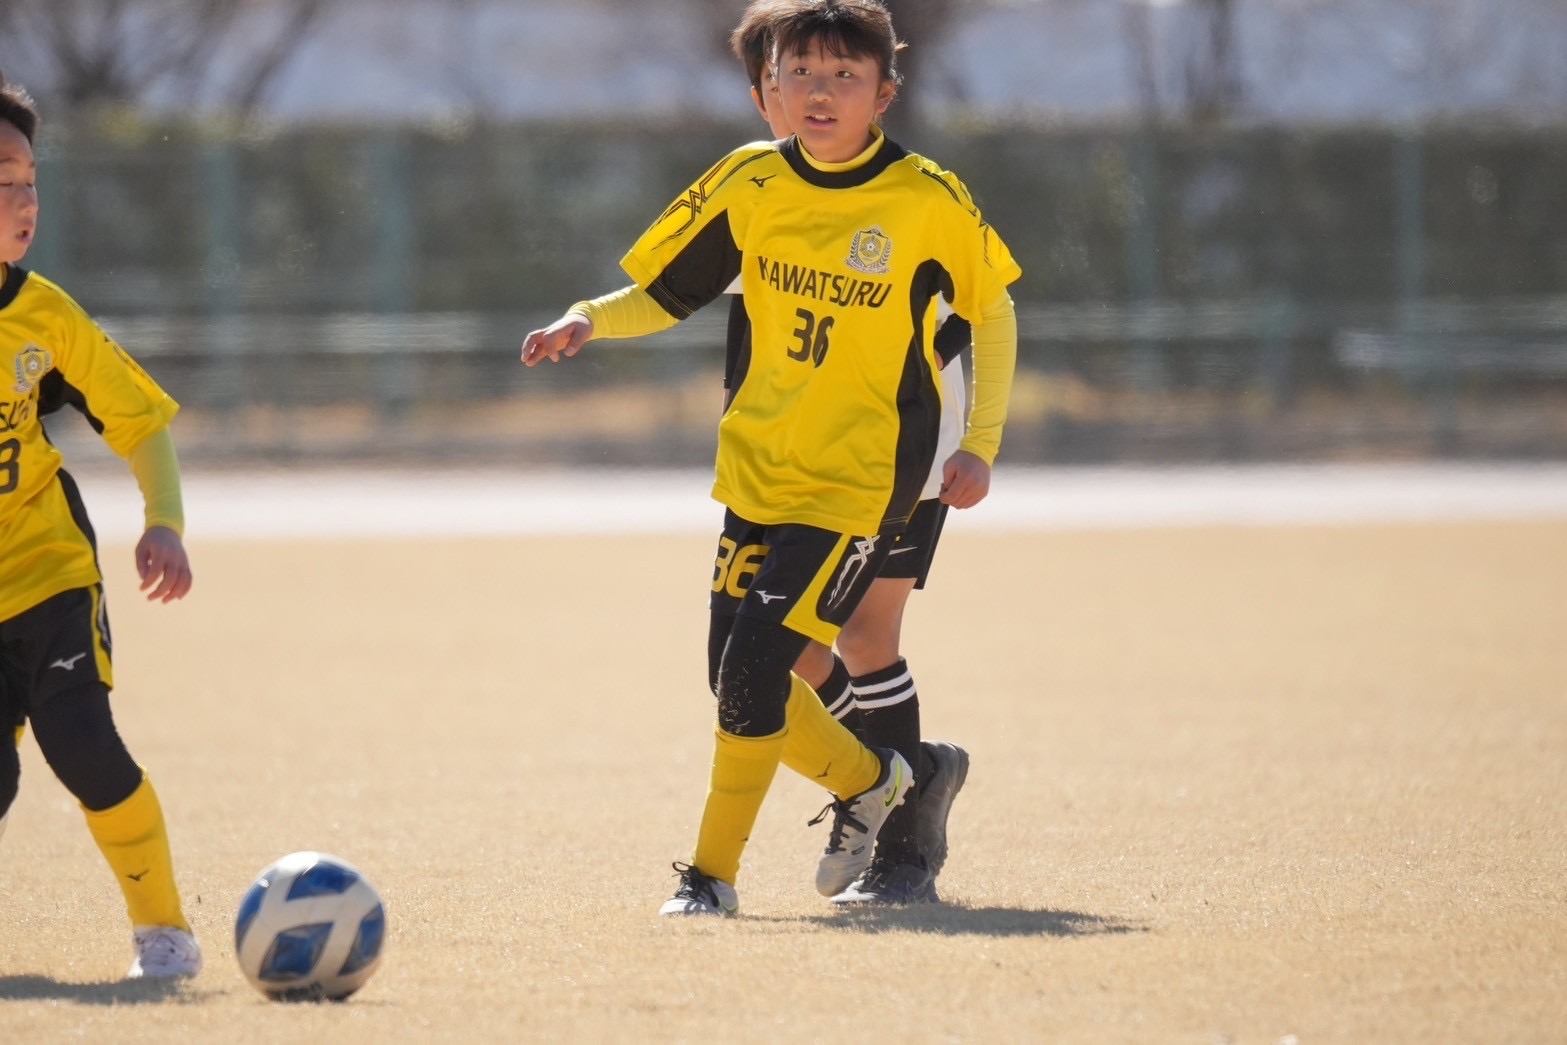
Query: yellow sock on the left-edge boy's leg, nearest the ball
137,847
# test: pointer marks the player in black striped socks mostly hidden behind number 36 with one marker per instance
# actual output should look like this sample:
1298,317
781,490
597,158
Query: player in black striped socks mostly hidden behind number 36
869,685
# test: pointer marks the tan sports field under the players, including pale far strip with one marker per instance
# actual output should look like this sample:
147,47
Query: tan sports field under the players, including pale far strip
1262,783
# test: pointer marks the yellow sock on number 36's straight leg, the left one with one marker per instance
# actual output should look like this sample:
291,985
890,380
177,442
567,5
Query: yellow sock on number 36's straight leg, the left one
744,770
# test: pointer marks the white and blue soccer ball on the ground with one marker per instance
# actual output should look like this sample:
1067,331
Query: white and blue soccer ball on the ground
309,928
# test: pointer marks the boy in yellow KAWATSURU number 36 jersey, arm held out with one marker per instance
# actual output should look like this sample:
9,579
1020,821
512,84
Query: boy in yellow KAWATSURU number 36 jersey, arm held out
844,244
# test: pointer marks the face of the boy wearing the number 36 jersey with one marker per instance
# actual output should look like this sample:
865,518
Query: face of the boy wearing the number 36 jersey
831,103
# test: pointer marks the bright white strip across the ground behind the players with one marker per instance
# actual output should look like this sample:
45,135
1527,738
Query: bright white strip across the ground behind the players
454,504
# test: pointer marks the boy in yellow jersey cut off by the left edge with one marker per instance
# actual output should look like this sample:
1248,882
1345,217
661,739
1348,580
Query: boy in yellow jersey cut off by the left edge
54,626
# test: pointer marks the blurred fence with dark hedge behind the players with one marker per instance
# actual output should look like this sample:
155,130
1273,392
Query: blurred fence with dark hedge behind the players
1187,297
